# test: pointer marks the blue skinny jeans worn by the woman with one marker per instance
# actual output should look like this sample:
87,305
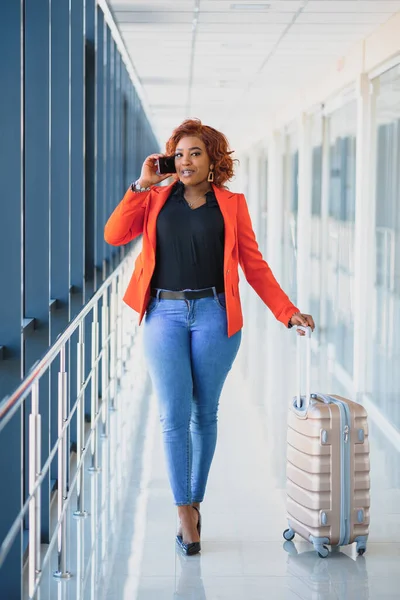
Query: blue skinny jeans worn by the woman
189,355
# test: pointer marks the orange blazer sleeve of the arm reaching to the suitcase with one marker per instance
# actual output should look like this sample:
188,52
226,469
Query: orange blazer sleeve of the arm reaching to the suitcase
257,271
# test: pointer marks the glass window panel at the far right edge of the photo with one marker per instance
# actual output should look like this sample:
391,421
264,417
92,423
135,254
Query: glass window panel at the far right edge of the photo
386,345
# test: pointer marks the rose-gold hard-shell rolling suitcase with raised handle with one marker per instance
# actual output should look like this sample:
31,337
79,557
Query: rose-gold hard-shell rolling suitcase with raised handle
328,481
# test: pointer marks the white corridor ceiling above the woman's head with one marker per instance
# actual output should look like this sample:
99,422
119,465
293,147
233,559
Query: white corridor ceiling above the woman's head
234,62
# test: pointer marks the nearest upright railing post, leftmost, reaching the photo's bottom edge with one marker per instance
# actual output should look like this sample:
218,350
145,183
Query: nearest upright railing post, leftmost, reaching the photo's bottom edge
34,471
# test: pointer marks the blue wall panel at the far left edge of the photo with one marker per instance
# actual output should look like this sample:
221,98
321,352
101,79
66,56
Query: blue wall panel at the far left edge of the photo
11,275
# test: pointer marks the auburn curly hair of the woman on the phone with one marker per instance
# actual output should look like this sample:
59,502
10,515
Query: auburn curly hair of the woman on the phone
216,144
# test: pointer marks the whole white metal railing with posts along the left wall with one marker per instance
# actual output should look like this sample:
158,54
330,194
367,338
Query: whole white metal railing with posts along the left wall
110,294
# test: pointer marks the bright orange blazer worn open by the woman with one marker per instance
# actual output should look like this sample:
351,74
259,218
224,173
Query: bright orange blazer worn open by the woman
137,213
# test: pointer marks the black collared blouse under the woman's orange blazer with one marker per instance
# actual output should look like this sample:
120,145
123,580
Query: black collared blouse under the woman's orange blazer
190,244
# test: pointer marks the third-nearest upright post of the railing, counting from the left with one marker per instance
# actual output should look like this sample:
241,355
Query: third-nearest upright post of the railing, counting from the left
80,371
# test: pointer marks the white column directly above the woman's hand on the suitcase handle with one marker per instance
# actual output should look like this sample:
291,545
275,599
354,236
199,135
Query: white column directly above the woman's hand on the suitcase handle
304,216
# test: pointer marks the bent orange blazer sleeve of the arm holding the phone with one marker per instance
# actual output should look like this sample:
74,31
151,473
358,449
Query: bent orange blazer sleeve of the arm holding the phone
126,222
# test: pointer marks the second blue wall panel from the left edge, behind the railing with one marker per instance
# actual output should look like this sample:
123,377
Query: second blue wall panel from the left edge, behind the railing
36,218
